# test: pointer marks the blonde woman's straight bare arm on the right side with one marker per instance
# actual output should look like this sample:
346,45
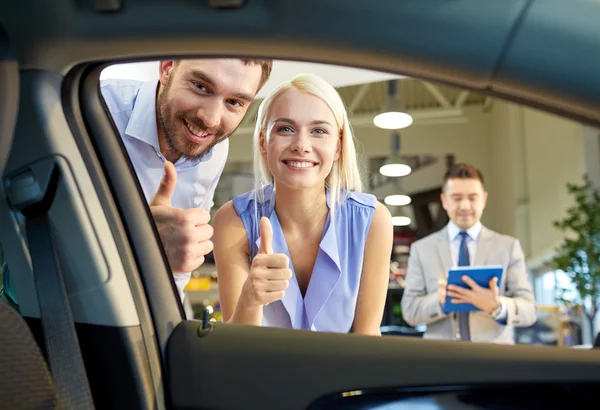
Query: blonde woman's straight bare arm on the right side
375,274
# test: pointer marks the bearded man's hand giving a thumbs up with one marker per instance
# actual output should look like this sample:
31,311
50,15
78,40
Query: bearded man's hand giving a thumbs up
185,233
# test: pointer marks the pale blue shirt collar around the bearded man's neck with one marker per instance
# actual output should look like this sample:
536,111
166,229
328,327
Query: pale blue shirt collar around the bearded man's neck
142,124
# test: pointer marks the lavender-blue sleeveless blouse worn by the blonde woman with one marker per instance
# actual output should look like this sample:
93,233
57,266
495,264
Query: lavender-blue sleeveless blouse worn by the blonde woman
330,300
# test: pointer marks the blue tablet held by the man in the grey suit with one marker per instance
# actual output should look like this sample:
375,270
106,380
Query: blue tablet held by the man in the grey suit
480,274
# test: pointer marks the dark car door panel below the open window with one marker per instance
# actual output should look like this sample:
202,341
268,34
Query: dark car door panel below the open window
241,367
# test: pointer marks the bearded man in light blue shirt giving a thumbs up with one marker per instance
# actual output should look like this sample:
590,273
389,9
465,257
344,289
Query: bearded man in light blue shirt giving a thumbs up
175,130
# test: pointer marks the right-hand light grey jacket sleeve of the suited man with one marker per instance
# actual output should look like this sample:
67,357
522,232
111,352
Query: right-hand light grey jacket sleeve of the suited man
518,301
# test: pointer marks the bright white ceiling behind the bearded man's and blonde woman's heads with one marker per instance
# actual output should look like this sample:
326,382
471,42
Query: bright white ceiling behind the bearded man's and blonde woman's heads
337,76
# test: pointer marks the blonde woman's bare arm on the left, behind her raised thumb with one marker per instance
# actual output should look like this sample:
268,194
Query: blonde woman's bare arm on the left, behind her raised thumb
231,252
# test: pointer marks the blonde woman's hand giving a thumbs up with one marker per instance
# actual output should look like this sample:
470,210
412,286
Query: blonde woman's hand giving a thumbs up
270,272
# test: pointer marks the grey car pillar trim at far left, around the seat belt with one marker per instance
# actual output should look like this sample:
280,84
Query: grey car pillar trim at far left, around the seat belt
93,265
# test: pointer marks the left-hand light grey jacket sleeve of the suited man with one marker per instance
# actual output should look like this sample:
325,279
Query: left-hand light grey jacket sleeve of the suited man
418,306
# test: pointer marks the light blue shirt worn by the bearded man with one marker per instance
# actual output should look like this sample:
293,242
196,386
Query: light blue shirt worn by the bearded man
133,108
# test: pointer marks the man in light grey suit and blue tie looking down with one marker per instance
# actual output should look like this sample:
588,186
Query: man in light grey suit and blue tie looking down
464,241
